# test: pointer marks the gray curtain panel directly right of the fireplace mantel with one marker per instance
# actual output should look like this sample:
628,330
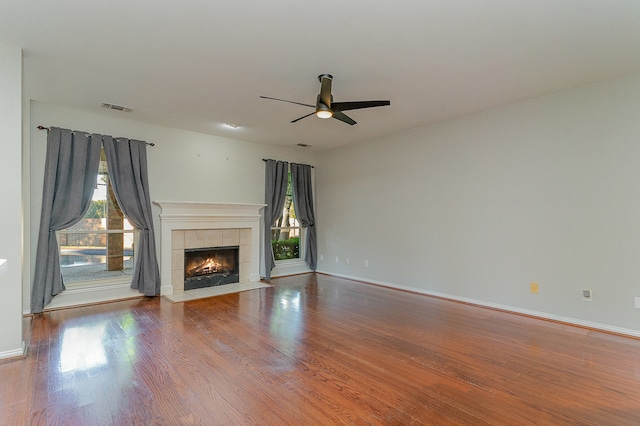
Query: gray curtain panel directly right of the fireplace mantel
276,179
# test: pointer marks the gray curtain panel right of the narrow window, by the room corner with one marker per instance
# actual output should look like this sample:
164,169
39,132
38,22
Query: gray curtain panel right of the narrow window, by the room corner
303,202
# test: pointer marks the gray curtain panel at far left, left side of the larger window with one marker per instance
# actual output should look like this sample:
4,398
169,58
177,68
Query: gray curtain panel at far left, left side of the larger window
70,174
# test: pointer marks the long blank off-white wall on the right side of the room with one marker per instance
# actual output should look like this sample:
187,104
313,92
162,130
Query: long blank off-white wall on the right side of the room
476,208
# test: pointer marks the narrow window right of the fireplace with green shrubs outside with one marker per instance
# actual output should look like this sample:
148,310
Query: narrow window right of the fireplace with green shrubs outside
285,234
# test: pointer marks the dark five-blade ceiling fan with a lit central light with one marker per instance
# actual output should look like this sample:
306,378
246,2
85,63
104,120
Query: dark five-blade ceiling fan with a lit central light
326,108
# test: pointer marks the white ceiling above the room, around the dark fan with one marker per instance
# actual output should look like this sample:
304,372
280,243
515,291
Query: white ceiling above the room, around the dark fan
196,64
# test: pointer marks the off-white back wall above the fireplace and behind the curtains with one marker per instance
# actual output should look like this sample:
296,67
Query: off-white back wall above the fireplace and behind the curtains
183,165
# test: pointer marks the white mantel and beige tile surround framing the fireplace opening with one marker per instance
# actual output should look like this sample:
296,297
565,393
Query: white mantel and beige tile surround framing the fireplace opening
186,225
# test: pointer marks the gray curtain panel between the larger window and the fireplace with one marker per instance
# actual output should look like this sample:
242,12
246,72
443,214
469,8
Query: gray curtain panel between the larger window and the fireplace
127,164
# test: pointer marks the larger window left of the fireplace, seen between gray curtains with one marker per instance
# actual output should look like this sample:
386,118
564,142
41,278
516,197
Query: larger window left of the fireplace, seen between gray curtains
100,246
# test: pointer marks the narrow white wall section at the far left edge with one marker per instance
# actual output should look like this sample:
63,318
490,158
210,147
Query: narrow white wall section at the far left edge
11,343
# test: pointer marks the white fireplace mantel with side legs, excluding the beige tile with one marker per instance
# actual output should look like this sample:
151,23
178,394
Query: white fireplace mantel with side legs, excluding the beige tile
181,215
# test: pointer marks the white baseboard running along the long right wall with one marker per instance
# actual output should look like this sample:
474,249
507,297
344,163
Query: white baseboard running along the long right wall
538,314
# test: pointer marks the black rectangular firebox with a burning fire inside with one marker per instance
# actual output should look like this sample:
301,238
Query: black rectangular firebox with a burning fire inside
208,267
